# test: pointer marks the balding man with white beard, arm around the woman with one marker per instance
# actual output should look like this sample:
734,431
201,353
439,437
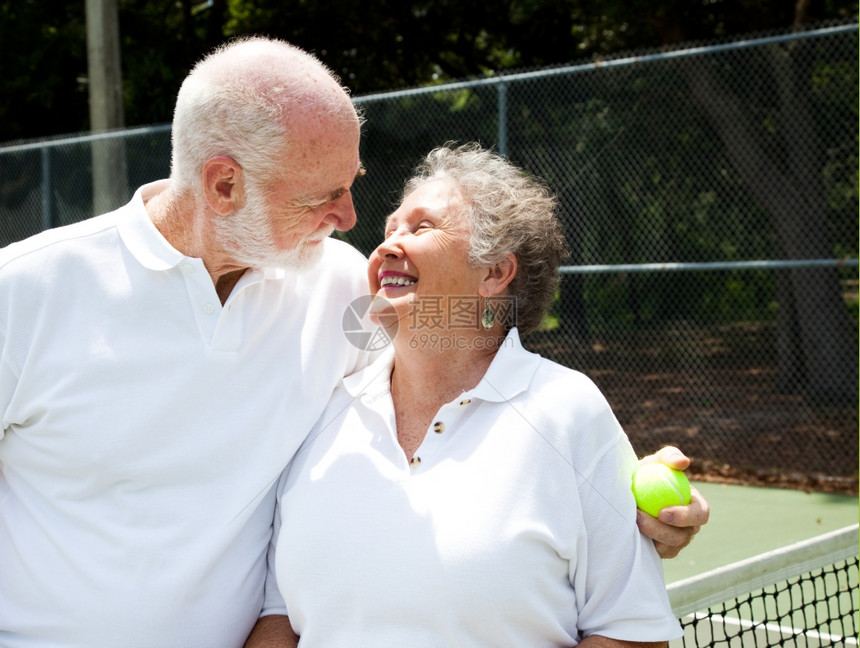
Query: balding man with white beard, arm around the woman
160,364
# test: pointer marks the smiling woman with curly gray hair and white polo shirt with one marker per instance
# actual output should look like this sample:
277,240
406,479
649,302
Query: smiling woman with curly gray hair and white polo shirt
462,491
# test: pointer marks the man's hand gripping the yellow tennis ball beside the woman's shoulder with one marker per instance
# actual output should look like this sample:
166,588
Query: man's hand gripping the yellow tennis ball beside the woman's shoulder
675,527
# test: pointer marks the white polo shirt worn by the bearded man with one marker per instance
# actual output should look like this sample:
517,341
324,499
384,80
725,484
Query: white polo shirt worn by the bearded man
144,426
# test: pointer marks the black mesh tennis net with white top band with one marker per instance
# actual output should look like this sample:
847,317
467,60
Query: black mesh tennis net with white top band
802,595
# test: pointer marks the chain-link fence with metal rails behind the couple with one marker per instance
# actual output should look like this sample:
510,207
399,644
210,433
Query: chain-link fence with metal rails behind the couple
709,196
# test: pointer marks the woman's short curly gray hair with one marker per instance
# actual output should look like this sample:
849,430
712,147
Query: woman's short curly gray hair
508,212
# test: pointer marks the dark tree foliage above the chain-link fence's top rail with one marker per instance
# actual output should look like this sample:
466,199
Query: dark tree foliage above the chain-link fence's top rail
374,45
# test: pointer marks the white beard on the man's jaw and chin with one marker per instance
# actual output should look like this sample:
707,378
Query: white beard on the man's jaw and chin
246,235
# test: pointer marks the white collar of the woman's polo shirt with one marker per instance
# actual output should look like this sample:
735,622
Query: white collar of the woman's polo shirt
509,374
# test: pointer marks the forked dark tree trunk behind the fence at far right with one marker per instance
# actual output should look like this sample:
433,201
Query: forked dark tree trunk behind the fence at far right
780,171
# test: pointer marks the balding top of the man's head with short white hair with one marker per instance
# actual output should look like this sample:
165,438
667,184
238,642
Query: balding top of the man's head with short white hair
249,100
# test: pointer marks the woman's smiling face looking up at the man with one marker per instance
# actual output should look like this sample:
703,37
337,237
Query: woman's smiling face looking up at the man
425,254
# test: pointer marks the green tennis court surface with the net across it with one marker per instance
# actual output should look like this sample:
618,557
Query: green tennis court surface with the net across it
772,568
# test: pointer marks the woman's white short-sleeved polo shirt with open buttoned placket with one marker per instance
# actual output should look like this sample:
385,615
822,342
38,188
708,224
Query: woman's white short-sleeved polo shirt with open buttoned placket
516,528
